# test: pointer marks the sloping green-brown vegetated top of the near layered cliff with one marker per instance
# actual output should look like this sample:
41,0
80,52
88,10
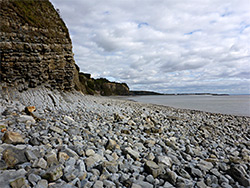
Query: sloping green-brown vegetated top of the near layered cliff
36,13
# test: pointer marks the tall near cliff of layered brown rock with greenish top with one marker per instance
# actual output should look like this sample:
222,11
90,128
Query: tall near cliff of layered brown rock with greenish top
35,46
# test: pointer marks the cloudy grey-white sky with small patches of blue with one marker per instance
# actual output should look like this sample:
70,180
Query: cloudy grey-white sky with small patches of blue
168,46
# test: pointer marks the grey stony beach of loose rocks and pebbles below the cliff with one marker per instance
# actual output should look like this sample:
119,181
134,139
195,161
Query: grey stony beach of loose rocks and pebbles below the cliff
66,139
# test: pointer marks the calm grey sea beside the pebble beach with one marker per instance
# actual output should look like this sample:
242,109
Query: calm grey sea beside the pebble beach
229,104
